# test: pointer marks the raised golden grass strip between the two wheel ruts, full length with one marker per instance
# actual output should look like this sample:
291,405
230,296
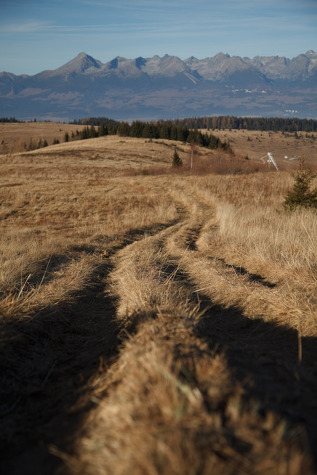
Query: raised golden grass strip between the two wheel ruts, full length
174,402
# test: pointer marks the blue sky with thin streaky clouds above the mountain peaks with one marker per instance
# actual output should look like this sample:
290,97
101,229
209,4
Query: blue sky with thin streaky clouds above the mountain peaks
41,34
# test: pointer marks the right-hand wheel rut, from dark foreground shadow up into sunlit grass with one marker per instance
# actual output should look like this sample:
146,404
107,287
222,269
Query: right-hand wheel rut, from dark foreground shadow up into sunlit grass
248,317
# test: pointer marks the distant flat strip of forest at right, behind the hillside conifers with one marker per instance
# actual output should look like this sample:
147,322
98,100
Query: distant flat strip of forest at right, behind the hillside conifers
274,124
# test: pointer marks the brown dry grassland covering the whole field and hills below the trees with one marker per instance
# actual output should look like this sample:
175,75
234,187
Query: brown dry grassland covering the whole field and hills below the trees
157,321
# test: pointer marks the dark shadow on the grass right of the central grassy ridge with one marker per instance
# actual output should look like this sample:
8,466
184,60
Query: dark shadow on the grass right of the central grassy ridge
265,357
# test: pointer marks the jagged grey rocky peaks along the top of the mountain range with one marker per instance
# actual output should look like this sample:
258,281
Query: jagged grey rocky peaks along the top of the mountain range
211,68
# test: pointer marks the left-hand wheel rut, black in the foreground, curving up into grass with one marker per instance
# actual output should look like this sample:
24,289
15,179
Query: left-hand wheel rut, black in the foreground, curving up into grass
53,355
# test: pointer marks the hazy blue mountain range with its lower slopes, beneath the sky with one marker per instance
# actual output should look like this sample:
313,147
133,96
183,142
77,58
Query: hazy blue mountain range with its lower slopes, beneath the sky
165,87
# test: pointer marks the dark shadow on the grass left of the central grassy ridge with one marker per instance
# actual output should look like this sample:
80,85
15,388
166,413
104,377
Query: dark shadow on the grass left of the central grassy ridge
46,364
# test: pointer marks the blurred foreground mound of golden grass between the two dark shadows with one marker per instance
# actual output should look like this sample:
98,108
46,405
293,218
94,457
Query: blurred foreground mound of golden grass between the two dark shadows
173,407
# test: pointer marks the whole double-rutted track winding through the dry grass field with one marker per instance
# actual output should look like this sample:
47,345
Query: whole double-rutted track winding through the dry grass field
162,367
